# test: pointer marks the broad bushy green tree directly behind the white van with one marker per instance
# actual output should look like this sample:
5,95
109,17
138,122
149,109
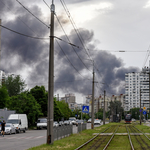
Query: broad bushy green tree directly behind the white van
26,104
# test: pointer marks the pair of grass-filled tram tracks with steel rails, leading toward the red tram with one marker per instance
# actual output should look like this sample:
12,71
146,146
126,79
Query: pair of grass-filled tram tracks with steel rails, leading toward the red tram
102,141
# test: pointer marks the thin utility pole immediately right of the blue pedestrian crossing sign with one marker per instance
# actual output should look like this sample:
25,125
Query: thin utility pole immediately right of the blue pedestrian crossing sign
92,121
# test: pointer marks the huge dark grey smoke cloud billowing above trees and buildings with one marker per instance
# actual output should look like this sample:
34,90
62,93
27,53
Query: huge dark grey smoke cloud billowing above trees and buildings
29,57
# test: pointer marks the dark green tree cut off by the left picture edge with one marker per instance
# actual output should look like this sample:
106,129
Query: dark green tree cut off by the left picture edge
3,96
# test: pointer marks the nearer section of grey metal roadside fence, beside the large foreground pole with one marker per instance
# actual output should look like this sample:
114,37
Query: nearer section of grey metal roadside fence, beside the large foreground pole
62,131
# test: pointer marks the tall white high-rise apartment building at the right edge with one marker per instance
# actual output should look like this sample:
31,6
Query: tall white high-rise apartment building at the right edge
134,83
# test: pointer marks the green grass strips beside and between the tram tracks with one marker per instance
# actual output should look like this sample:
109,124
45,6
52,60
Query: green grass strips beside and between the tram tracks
76,140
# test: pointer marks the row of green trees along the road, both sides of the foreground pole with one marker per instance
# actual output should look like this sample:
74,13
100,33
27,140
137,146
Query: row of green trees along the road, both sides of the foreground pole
32,102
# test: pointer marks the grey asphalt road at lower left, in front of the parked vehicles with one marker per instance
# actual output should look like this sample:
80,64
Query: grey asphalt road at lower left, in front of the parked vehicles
31,138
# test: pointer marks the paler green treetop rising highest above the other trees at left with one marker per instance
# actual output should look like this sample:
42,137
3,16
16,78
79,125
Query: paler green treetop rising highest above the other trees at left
14,84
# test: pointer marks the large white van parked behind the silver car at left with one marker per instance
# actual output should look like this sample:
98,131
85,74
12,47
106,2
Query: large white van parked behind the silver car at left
19,121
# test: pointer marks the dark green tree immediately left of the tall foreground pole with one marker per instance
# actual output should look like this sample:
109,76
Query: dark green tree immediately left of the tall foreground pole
41,96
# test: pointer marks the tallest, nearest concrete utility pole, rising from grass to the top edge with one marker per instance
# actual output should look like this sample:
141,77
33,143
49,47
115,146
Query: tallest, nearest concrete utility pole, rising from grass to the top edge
50,109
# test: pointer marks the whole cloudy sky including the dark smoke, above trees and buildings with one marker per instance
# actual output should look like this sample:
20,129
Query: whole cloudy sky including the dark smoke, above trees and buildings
105,27
